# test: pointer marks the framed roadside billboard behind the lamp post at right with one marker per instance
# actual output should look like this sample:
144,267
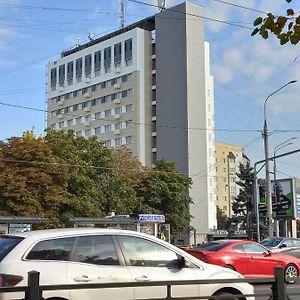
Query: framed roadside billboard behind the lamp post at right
283,199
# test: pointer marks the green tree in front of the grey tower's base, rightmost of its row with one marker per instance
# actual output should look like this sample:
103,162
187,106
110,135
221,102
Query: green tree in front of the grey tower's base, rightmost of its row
164,190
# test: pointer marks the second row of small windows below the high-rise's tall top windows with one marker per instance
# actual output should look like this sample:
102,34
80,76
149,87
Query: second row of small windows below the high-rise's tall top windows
94,102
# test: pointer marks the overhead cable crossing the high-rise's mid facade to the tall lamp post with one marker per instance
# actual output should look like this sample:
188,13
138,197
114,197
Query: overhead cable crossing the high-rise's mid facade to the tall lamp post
137,123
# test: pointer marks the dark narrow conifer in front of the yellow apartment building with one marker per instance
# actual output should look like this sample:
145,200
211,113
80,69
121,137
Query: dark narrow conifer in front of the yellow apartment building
242,205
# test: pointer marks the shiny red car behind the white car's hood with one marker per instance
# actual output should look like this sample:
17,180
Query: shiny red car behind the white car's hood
246,257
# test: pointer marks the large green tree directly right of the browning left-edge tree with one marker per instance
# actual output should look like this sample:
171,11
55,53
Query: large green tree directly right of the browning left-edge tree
89,163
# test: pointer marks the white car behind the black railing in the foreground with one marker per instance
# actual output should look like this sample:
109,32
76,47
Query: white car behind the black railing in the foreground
91,255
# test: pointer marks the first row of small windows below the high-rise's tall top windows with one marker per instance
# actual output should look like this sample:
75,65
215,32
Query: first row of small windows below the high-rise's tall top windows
93,88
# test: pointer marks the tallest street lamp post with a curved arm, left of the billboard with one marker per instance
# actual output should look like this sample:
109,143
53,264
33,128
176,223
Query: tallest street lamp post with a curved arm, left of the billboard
266,148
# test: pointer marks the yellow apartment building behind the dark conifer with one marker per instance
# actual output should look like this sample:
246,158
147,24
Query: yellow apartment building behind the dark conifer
228,159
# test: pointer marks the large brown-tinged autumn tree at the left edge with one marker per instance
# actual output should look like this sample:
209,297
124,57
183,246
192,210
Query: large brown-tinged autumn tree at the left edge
31,182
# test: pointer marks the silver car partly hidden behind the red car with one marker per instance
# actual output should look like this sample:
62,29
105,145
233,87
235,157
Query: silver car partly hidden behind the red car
286,245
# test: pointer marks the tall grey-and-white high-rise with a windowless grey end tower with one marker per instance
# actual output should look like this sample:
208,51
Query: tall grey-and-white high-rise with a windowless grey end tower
147,86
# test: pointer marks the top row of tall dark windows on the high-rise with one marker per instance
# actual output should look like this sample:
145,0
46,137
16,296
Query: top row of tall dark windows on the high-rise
92,62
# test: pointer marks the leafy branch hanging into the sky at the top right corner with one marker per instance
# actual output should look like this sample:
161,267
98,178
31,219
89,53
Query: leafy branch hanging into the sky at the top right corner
285,28
